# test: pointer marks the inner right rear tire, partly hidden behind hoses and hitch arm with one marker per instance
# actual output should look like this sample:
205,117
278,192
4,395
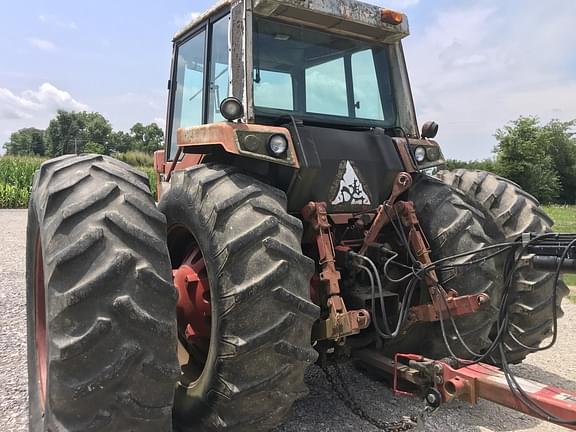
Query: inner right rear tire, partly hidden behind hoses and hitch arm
453,226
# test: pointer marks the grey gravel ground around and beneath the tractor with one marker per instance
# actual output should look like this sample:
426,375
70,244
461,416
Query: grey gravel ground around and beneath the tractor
320,411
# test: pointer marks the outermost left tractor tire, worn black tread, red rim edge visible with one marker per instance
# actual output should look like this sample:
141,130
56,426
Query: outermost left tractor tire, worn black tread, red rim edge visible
100,305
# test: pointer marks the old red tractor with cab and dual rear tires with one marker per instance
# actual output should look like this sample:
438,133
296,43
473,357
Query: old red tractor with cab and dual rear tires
296,221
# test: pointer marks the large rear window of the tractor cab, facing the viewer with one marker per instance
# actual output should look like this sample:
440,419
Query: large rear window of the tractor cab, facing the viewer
321,75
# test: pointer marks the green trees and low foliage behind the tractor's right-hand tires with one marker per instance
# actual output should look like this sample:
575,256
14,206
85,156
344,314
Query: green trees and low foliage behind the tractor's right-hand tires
541,158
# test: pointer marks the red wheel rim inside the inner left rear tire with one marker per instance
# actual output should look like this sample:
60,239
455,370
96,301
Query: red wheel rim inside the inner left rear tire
194,308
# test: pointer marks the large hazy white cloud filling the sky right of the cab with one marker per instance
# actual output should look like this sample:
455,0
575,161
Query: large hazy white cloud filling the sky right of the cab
475,68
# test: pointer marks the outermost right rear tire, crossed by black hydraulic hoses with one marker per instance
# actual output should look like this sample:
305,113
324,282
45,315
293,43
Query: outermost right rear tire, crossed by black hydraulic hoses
513,212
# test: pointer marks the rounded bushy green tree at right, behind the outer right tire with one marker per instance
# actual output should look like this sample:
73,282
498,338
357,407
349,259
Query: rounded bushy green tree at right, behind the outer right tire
522,156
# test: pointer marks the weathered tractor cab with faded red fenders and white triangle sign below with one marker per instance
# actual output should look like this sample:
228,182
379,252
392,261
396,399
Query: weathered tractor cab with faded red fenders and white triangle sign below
317,98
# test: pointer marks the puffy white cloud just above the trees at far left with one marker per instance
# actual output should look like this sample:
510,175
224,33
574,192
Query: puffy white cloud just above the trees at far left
33,108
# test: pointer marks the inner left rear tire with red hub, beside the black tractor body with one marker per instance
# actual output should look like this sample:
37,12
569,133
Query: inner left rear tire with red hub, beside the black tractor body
245,356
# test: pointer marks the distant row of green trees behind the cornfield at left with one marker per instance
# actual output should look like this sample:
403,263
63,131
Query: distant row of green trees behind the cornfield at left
83,132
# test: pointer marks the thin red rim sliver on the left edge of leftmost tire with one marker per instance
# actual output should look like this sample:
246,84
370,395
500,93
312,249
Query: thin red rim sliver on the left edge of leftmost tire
40,323
